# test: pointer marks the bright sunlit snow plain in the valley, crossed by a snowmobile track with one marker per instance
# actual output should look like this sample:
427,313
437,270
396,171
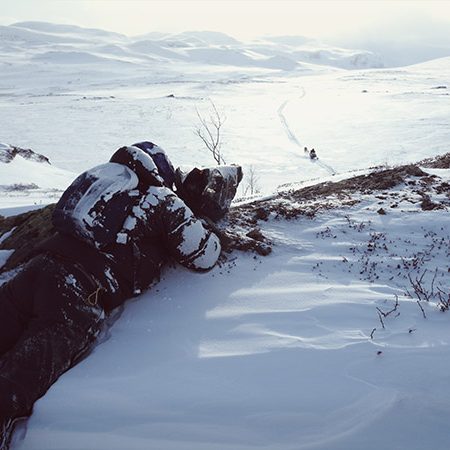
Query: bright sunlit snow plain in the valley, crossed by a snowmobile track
350,129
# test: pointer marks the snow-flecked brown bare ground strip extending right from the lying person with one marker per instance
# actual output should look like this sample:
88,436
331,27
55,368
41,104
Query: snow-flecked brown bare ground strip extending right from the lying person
241,230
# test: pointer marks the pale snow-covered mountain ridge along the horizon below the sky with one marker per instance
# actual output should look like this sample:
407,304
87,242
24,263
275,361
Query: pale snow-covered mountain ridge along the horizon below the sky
54,44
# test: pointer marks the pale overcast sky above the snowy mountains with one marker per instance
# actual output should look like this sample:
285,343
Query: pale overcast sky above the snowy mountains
244,18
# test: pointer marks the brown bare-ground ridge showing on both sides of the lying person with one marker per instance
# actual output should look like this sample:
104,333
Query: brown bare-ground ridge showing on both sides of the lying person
240,231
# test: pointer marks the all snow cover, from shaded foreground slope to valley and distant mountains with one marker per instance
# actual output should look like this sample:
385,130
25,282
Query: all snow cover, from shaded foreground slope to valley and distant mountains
280,352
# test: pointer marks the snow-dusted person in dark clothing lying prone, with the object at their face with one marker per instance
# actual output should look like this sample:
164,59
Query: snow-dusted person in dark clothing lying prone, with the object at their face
117,225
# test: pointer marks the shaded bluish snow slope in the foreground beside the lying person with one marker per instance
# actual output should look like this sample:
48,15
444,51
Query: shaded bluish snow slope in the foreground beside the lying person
283,352
